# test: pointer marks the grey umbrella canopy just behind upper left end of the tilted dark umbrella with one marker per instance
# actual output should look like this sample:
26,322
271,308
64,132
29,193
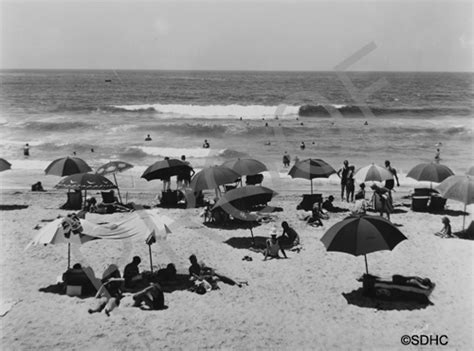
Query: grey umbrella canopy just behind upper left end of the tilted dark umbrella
212,177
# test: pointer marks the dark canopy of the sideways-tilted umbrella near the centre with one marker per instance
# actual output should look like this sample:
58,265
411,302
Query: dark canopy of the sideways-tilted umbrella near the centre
245,198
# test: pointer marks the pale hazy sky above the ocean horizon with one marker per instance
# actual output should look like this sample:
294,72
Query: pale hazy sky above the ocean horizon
237,35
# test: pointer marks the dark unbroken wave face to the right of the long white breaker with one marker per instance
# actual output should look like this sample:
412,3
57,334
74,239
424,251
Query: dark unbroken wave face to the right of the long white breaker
356,110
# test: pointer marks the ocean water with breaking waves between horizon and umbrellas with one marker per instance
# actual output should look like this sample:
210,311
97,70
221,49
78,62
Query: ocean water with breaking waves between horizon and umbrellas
363,117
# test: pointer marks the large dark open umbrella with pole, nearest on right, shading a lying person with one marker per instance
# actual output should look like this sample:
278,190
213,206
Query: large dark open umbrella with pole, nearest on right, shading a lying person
361,235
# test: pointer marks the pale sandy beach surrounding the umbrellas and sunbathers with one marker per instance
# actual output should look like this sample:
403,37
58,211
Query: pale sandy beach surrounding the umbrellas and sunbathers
309,301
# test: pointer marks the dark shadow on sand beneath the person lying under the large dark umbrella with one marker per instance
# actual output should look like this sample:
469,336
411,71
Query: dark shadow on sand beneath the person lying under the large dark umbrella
357,298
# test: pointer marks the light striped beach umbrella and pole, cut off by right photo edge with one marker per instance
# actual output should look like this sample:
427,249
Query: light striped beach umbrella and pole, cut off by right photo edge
459,188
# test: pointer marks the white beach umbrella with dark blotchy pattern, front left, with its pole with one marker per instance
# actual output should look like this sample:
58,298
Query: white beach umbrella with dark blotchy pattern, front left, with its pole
68,230
